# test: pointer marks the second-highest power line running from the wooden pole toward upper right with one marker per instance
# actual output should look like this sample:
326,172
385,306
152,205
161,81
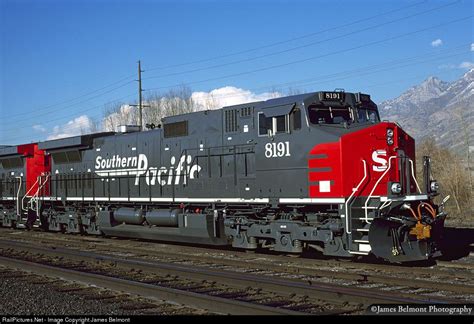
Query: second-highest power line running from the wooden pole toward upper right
302,46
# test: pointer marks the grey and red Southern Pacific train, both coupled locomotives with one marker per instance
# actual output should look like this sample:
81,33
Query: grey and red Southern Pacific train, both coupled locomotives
316,171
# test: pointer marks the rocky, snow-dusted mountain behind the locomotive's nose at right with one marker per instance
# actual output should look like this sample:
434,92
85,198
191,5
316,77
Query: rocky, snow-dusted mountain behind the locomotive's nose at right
438,109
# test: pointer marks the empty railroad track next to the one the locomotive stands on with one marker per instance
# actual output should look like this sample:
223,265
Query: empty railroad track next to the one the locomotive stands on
421,280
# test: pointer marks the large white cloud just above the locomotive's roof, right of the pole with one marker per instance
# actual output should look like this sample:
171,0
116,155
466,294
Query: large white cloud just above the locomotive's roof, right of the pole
228,96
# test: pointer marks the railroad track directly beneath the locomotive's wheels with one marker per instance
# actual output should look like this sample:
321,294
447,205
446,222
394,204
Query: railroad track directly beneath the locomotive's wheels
135,246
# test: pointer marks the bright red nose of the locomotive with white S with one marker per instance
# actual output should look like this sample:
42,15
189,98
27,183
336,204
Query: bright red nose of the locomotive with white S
377,151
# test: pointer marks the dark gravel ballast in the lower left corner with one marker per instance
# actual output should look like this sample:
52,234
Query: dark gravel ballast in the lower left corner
27,292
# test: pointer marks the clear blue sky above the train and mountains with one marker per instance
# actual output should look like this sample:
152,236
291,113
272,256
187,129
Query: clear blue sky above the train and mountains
64,59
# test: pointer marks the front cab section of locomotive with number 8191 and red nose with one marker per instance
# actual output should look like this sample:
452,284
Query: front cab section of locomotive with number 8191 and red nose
360,179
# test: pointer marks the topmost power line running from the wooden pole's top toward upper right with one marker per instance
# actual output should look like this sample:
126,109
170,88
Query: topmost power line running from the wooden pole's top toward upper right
289,40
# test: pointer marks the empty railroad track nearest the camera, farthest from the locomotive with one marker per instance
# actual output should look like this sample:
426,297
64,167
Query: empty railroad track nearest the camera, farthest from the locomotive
287,290
